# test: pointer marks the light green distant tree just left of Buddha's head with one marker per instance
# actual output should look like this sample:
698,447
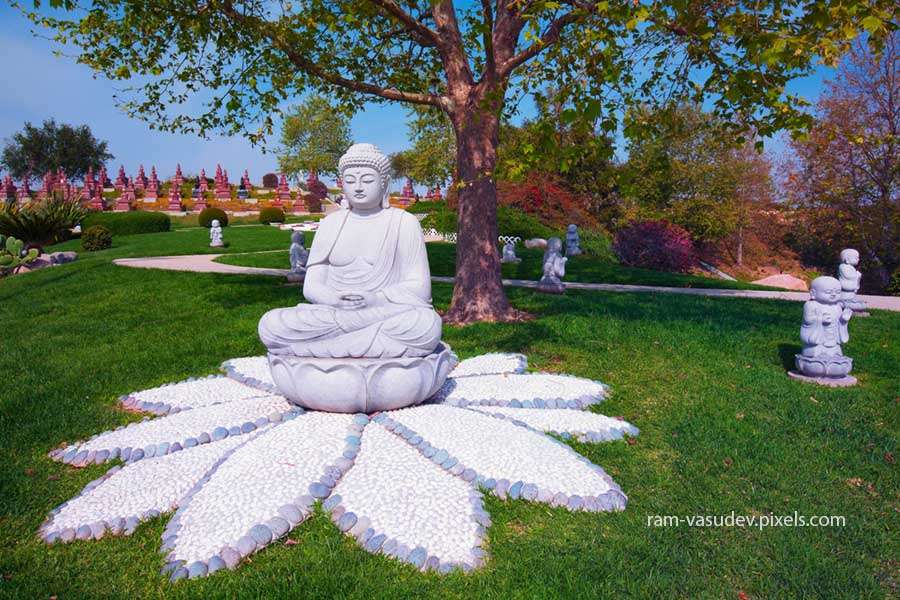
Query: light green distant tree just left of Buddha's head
314,135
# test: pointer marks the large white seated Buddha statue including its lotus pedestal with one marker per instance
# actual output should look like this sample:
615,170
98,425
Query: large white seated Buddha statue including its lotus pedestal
368,288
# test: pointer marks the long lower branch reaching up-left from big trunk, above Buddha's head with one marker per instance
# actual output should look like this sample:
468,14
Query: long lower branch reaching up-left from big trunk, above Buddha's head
310,67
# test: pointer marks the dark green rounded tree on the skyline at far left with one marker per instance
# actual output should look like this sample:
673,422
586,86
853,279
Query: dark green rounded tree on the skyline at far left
36,150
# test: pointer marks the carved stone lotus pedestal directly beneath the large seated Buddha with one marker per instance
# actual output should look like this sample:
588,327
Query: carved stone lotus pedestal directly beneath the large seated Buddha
361,385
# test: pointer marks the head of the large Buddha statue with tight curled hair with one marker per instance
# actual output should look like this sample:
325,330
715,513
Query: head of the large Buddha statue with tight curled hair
366,175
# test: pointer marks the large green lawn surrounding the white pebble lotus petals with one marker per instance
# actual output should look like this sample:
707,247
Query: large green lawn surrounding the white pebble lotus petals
722,429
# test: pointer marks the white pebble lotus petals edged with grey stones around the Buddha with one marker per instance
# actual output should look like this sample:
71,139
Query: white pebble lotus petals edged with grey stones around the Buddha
240,467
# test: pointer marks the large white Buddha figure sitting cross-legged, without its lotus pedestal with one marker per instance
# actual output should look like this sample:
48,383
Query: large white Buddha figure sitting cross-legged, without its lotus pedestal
367,280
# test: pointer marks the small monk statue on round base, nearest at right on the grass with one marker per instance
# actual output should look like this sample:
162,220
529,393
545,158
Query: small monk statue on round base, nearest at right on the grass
823,331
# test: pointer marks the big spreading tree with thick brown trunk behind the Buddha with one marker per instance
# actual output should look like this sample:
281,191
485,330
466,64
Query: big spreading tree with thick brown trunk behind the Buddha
242,58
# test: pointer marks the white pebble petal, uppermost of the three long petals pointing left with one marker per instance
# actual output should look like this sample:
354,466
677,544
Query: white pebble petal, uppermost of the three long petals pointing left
192,394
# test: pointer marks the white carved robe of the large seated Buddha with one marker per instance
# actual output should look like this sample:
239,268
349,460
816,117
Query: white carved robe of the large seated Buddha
402,324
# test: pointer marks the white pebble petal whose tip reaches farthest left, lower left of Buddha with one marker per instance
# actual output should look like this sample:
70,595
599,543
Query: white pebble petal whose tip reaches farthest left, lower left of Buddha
153,484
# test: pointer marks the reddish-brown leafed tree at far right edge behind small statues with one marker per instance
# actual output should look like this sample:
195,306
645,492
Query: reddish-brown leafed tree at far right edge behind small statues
844,177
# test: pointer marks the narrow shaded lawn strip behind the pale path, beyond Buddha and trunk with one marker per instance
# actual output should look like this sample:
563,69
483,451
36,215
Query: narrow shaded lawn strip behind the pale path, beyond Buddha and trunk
583,269
